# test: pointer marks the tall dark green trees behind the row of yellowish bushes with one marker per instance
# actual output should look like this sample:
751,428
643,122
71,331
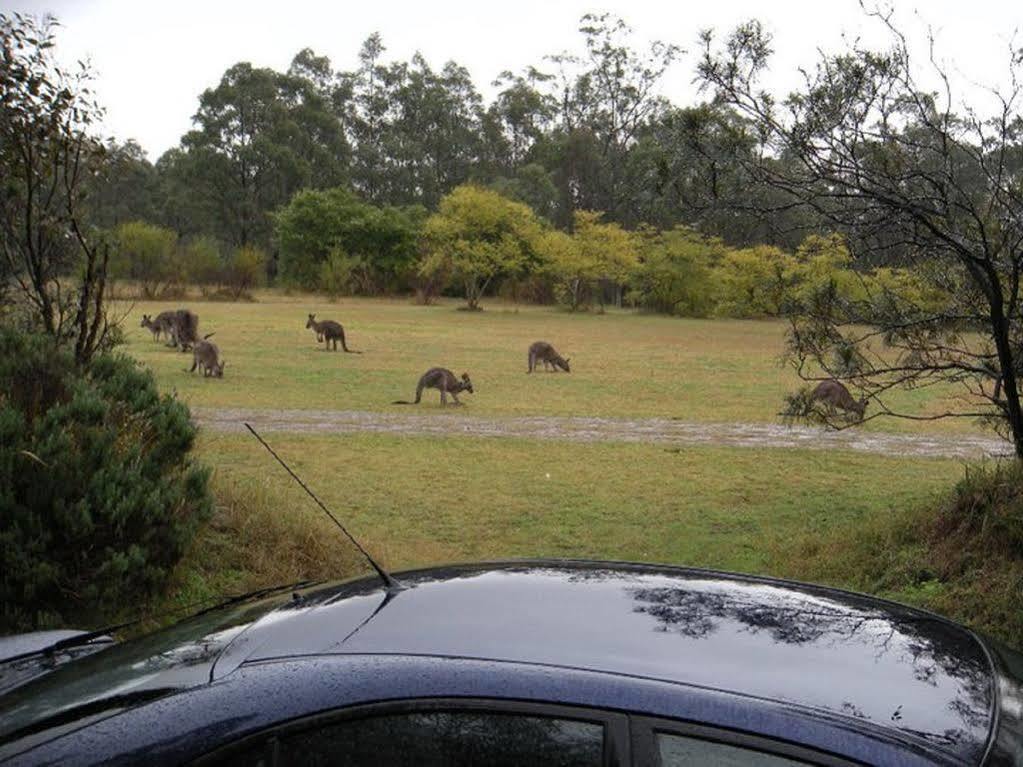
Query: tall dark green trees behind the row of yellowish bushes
583,132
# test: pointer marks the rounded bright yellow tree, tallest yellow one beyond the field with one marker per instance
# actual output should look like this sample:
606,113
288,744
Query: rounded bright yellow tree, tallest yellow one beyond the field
477,237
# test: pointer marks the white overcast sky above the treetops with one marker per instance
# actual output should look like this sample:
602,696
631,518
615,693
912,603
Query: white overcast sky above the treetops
153,60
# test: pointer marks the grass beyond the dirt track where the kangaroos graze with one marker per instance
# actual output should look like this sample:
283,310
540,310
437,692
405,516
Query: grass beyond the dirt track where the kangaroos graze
624,364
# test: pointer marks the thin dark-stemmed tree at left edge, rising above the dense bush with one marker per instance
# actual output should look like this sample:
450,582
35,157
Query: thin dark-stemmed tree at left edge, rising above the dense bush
57,262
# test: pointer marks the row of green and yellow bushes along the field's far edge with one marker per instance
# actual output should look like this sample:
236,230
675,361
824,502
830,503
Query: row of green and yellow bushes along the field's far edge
481,243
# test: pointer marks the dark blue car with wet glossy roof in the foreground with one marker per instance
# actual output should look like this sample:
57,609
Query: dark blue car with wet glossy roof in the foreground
545,663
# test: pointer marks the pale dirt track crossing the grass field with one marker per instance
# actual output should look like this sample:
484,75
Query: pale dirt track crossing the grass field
654,431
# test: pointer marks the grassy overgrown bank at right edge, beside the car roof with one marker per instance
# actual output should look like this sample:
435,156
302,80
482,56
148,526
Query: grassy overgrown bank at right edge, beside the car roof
958,555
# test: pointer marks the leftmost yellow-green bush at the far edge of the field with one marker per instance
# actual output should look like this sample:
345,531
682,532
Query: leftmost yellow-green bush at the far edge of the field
147,254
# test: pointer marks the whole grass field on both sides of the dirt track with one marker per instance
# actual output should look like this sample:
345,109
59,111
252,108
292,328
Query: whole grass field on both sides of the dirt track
418,501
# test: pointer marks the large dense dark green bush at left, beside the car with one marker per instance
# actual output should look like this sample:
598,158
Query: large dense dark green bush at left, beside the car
99,499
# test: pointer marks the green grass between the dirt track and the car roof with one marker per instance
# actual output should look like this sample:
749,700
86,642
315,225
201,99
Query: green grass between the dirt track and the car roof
420,501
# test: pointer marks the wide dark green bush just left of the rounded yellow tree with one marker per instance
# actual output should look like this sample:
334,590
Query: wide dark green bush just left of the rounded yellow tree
315,224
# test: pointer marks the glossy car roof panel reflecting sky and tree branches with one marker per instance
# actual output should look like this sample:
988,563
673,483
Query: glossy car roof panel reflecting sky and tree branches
876,664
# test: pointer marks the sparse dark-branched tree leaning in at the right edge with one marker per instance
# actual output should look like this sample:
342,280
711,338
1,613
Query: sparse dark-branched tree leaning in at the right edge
915,184
